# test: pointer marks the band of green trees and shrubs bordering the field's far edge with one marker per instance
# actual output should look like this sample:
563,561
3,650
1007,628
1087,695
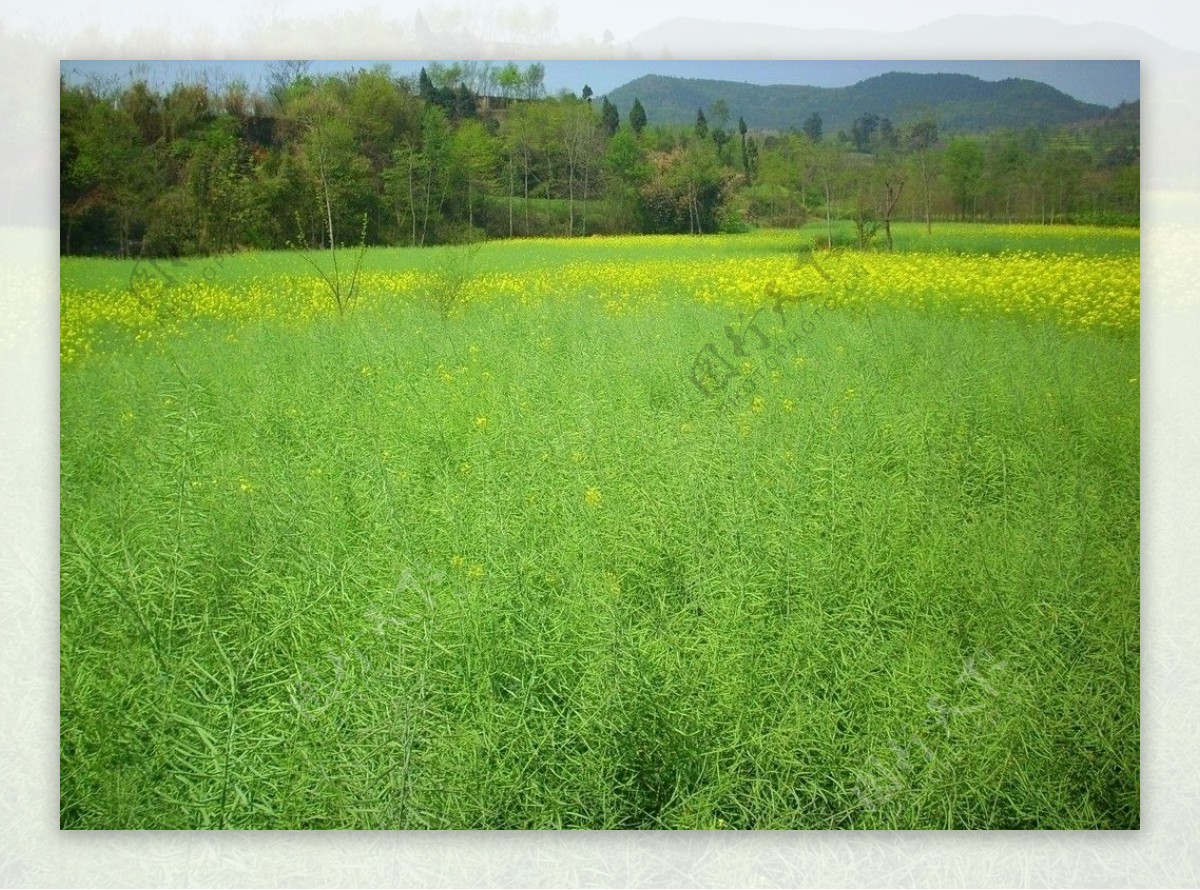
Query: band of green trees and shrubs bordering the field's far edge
478,151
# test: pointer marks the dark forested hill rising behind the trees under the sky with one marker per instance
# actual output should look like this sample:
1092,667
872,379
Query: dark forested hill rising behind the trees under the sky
959,104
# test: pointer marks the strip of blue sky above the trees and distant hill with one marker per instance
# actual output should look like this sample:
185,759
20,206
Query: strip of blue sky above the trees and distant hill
1105,82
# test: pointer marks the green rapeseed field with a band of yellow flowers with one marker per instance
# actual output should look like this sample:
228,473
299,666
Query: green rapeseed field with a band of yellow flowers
607,534
